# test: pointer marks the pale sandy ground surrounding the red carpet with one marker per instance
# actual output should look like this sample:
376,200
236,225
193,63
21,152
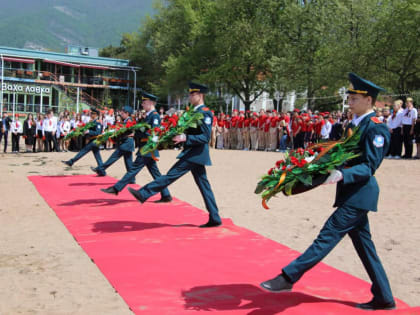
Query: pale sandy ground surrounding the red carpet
44,271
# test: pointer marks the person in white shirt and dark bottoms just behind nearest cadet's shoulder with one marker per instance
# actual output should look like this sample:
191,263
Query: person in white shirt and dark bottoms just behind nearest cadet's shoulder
394,124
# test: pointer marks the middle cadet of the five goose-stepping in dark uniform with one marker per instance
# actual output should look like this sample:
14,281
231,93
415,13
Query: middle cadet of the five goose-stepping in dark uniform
153,119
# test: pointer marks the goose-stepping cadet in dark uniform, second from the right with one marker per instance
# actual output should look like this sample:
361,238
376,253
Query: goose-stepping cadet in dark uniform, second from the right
192,159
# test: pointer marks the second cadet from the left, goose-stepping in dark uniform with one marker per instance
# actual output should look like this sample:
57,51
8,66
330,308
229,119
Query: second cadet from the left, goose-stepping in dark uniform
125,148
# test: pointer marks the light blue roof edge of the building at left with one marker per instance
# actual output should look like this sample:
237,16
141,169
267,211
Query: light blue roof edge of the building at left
76,59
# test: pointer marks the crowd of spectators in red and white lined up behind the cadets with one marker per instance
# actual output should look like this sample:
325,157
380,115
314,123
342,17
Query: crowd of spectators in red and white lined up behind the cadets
242,130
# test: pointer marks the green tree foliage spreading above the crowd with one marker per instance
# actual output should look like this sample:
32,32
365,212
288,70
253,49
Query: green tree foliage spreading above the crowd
246,47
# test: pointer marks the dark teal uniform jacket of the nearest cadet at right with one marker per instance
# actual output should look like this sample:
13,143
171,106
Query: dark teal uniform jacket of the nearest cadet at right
359,188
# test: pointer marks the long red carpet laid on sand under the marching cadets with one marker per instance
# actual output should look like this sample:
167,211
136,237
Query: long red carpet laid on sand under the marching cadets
161,263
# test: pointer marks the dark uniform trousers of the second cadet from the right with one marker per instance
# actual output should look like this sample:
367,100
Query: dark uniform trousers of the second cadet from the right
180,168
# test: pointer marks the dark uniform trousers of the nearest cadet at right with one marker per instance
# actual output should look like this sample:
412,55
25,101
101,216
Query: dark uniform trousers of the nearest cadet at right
355,223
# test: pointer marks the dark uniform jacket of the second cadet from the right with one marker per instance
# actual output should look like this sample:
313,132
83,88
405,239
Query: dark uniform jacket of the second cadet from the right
196,147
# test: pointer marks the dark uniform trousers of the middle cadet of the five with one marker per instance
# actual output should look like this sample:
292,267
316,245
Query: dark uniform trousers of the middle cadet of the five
139,163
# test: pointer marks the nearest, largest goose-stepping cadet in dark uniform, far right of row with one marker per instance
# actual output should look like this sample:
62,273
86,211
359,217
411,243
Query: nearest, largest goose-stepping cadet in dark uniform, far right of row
357,194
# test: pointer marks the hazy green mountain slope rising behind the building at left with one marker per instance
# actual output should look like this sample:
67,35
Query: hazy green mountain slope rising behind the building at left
53,24
